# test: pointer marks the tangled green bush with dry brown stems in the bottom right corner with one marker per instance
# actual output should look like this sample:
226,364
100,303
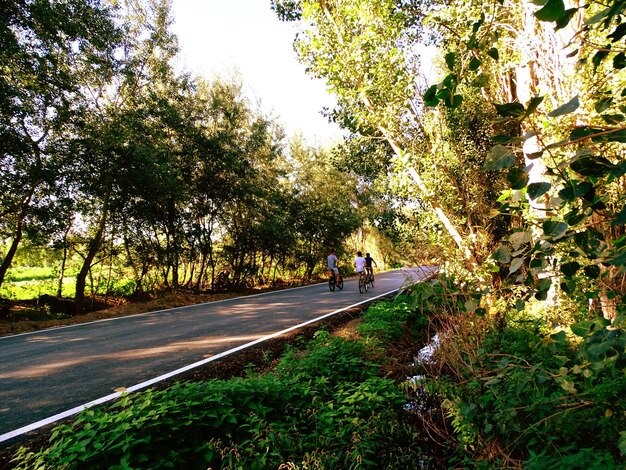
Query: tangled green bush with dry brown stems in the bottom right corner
527,396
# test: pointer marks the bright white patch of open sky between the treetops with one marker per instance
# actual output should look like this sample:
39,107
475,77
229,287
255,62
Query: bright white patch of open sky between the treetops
222,37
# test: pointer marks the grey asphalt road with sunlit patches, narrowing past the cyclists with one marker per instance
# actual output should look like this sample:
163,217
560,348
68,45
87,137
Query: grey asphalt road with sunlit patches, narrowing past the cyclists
51,374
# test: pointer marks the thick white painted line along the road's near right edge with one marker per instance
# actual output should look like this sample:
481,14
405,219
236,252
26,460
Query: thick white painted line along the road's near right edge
134,388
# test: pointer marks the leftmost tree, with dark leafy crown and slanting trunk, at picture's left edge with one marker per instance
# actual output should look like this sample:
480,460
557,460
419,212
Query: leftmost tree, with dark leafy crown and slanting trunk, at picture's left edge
49,48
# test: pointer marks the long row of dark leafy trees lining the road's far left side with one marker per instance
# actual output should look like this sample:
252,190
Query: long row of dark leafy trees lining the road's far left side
111,154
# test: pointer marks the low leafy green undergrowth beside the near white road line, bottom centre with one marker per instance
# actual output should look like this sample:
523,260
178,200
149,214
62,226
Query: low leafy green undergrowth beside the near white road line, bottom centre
323,407
